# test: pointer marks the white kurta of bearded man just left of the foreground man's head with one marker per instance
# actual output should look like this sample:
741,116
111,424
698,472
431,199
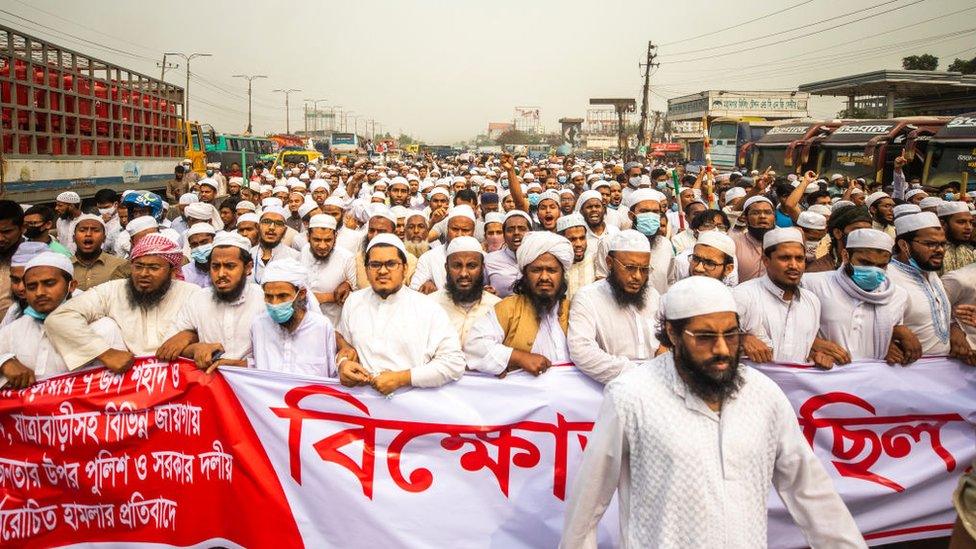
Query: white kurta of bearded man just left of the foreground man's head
604,337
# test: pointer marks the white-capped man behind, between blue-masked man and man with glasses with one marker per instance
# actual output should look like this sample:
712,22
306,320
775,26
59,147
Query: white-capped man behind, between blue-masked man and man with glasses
331,270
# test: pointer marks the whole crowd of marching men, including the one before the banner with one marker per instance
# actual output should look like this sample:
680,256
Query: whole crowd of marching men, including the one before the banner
648,279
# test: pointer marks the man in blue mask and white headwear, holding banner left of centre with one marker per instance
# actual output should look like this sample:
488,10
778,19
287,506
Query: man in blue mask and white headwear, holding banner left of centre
287,337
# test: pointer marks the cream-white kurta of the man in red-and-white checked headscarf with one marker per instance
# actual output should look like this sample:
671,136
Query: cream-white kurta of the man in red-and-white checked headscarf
143,330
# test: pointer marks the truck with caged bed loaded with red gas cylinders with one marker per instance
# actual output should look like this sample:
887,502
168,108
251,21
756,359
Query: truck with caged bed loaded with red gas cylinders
74,122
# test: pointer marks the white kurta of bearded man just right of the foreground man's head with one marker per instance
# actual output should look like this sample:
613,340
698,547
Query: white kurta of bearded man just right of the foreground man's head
788,327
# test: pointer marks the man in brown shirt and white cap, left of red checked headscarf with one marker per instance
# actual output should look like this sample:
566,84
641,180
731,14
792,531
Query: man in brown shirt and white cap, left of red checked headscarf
92,266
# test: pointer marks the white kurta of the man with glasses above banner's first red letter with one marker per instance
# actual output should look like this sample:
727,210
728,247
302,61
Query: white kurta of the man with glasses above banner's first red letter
405,331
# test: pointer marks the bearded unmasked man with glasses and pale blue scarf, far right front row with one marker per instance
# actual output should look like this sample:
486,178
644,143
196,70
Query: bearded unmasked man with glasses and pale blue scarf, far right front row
919,251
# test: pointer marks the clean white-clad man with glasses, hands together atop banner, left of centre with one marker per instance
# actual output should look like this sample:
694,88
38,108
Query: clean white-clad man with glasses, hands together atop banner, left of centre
381,342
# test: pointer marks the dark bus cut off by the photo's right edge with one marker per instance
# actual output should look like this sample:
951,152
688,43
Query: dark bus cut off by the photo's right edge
951,154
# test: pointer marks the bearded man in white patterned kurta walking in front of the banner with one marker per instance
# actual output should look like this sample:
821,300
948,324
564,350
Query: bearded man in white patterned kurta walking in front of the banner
663,440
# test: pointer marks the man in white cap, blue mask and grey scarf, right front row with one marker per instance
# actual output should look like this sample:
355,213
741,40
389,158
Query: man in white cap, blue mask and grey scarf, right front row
864,309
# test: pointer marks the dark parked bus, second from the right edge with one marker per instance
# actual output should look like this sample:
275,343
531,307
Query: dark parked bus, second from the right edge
867,148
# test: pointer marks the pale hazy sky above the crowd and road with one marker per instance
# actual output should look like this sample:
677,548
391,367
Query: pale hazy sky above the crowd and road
441,70
